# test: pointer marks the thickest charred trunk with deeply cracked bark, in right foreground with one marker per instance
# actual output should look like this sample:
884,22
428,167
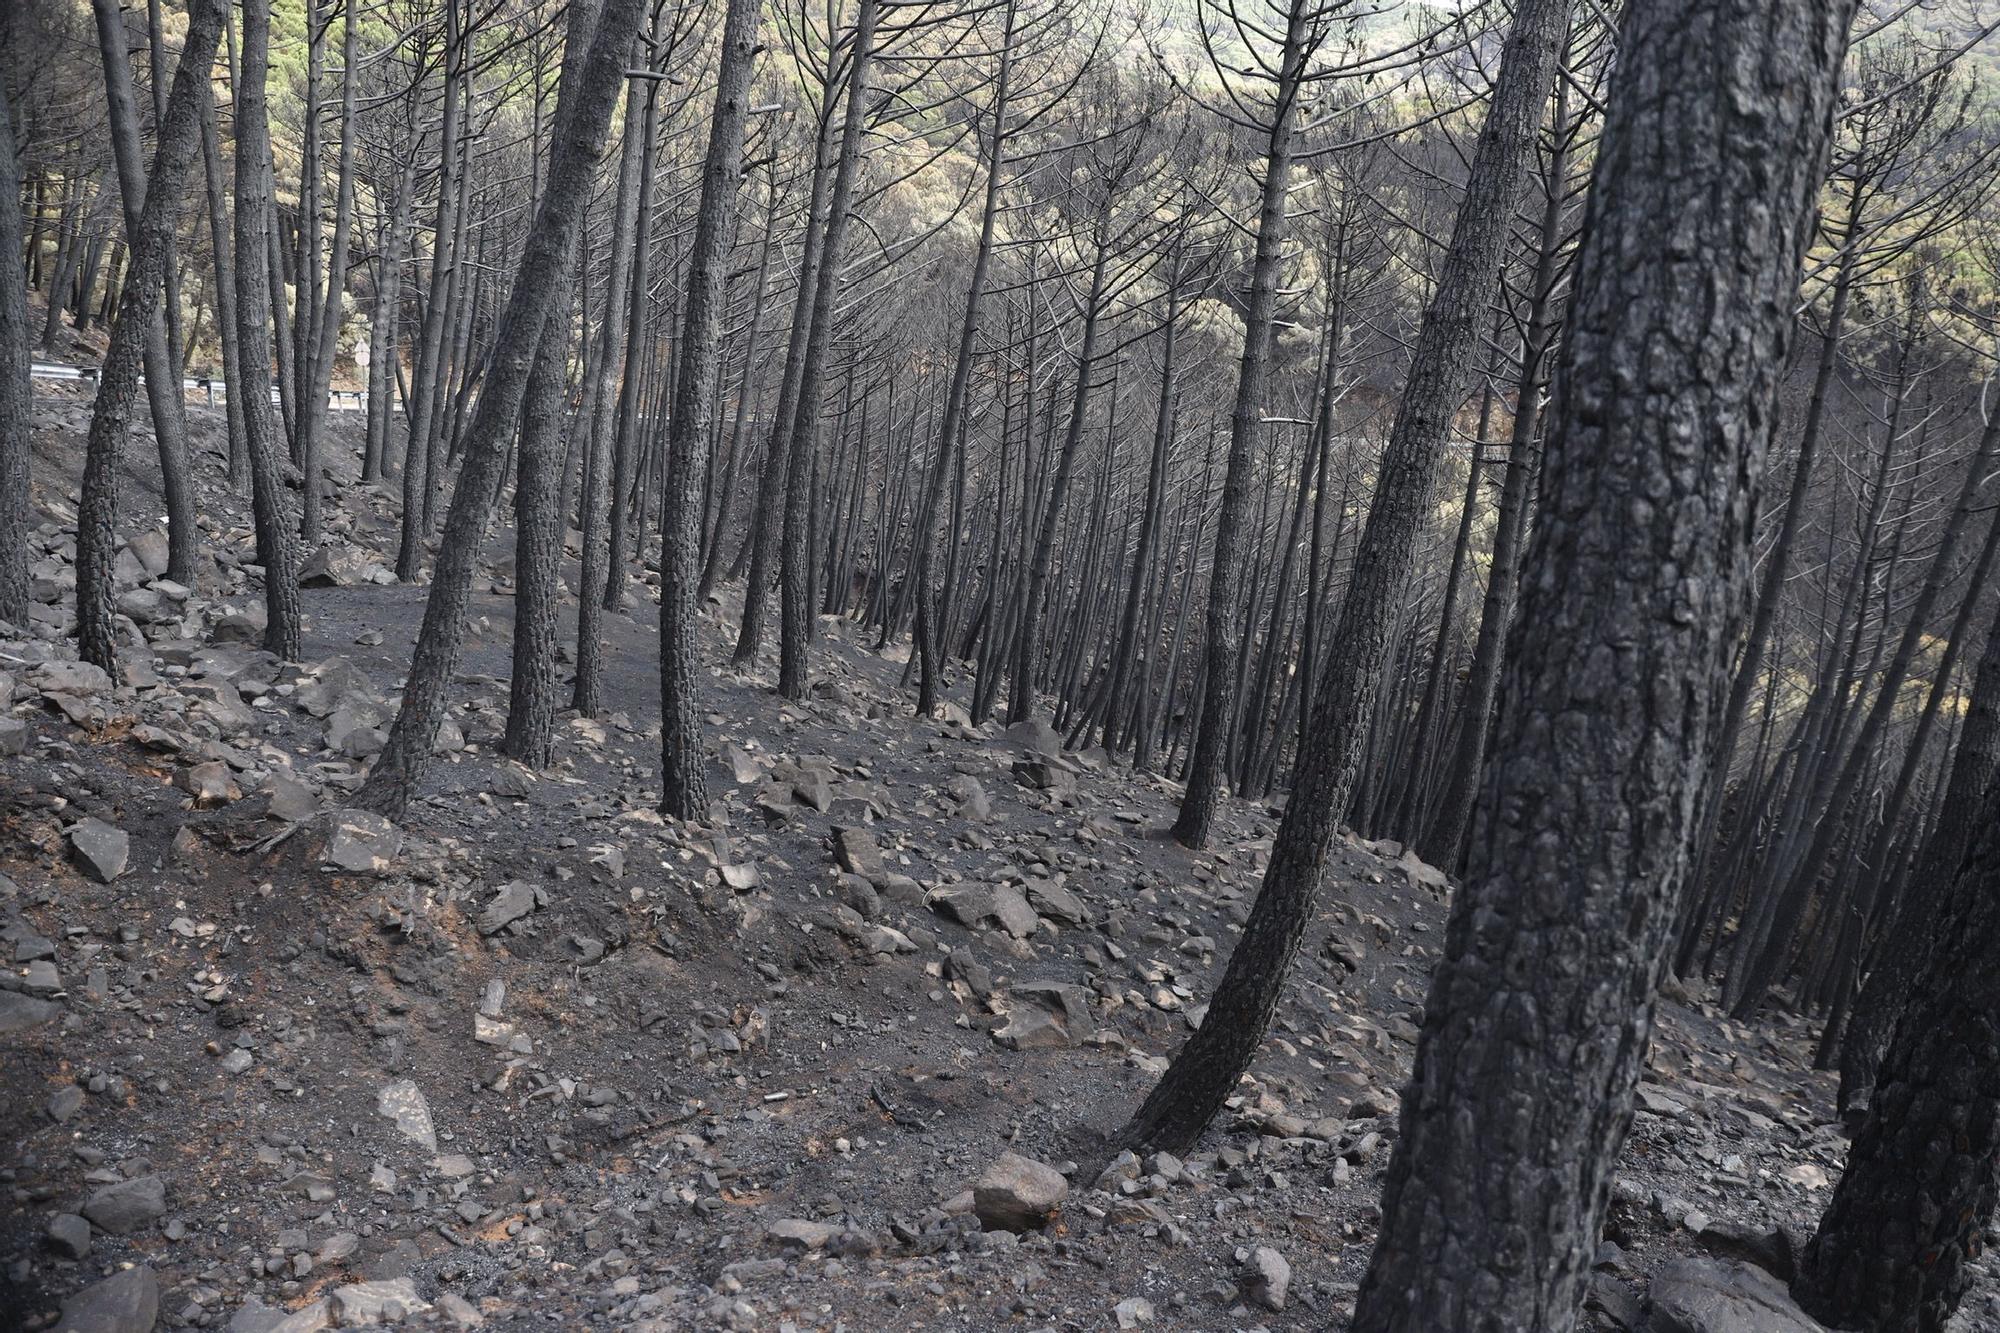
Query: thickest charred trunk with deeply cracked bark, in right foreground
1633,597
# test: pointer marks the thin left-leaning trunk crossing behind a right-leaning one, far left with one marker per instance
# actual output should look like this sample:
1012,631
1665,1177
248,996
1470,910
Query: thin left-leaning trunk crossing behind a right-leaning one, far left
163,373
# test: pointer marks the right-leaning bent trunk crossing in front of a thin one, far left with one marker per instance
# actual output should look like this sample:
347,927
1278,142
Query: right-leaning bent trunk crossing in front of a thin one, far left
137,327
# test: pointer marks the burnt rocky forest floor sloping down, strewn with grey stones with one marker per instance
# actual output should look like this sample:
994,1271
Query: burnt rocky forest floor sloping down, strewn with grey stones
627,1050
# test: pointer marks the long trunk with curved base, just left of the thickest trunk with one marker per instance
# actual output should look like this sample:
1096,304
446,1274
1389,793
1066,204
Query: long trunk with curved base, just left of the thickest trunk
1207,1070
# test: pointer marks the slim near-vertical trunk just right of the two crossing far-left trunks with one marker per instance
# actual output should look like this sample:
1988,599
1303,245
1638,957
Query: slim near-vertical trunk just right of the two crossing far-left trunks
275,547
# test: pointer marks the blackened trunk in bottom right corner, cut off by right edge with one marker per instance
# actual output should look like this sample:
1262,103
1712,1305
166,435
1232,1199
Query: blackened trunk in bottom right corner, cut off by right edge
1911,1212
